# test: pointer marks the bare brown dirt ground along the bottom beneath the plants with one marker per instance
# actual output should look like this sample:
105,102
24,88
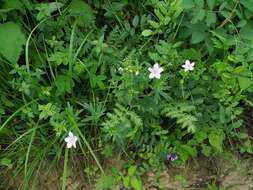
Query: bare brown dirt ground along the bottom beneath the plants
230,172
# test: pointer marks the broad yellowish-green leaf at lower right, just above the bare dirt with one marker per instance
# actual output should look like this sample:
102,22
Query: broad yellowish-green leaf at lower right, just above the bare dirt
216,138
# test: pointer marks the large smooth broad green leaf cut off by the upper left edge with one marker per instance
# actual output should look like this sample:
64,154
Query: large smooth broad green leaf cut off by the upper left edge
12,39
